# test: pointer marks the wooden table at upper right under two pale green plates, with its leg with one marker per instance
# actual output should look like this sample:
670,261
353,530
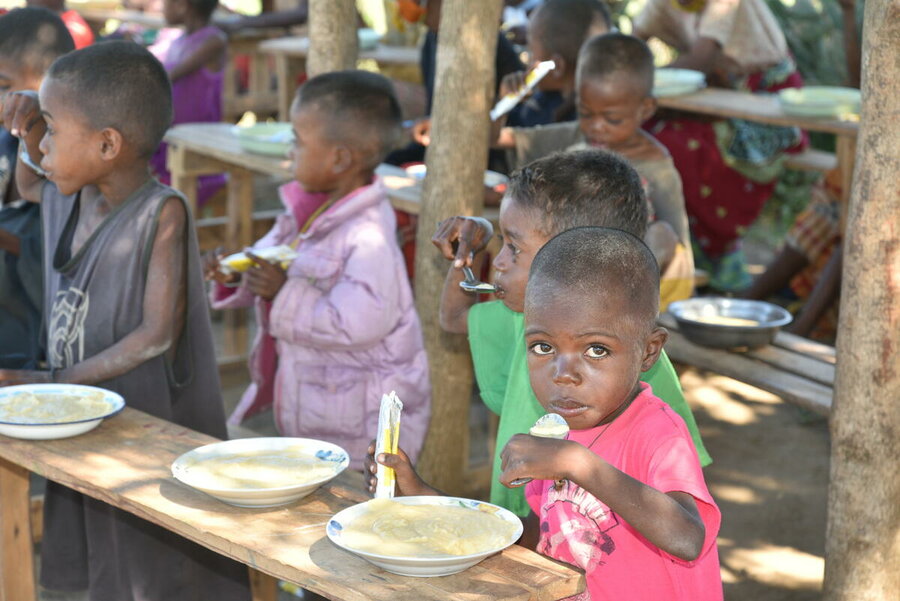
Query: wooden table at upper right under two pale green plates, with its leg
765,108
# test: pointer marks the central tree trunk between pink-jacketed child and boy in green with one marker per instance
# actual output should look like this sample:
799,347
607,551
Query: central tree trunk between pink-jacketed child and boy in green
456,160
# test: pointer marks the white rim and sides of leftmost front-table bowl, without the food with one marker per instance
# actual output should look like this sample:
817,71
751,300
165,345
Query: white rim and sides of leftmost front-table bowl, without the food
54,430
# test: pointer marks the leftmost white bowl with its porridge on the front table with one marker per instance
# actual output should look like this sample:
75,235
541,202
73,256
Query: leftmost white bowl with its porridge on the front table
50,411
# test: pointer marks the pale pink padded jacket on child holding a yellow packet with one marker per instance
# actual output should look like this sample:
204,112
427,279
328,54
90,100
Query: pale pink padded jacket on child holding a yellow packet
342,331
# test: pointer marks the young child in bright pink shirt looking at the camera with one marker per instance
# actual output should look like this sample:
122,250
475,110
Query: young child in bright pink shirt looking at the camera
622,496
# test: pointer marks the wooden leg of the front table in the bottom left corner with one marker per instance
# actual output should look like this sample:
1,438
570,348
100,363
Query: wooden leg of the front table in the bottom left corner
17,553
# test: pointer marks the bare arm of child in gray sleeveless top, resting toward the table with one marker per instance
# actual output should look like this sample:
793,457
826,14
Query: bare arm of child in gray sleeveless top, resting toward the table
163,307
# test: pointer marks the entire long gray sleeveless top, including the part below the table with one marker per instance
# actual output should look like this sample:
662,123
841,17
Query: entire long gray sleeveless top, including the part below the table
93,299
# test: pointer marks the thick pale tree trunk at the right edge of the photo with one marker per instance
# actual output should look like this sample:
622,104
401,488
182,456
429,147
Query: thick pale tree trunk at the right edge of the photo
862,543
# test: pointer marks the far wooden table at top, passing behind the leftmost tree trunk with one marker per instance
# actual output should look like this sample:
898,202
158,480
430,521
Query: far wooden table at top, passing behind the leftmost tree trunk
290,53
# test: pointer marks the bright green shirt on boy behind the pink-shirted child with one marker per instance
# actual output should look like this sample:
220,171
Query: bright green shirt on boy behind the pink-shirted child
496,337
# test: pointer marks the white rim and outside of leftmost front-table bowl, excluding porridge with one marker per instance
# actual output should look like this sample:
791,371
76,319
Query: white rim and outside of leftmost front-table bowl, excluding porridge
50,429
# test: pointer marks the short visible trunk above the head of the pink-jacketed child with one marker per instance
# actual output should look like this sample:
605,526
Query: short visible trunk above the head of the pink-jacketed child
333,44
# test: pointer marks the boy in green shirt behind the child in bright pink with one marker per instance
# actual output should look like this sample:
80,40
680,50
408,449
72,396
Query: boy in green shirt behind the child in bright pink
548,196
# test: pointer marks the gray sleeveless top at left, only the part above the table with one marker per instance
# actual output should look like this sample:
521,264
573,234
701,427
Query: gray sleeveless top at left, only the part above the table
95,298
